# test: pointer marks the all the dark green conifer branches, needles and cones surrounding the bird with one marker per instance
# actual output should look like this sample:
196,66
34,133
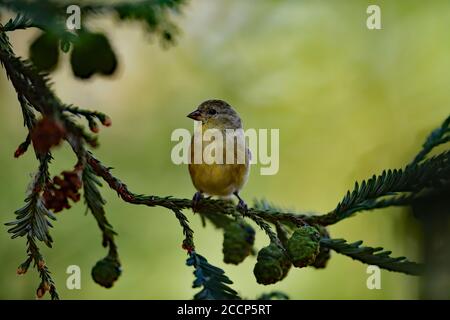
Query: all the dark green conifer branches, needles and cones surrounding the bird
50,122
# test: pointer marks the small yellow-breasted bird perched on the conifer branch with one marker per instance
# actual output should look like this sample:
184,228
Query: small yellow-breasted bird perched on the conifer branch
219,179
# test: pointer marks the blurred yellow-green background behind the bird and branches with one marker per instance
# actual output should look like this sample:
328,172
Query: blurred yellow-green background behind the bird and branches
349,102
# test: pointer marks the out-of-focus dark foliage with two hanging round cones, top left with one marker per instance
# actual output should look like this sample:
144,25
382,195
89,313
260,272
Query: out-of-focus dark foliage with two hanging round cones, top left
91,52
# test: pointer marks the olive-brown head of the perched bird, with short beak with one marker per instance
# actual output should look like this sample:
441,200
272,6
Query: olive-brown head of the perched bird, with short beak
216,114
